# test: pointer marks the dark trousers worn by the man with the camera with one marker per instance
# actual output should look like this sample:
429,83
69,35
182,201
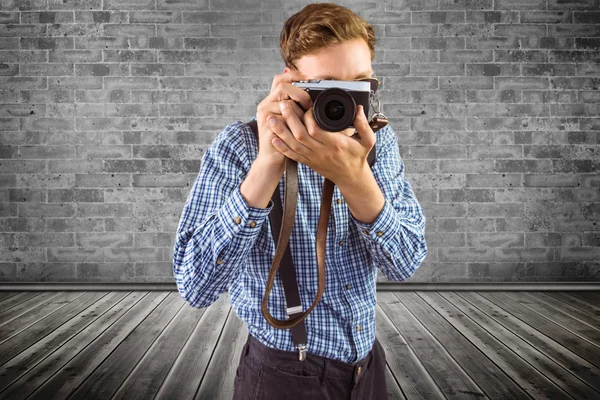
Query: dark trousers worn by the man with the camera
265,373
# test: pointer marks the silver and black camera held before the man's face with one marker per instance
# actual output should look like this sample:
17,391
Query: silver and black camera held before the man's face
335,102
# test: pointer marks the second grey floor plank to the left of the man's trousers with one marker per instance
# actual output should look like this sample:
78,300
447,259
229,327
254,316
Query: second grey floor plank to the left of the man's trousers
183,380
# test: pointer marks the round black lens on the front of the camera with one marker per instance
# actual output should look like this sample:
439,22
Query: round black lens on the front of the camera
334,109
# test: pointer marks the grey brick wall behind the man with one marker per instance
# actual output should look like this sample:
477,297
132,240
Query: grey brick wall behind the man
107,106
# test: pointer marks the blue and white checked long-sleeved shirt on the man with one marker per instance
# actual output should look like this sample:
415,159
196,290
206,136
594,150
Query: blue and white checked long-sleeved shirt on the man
223,244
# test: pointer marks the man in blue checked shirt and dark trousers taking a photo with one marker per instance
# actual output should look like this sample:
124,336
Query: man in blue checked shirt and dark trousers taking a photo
224,239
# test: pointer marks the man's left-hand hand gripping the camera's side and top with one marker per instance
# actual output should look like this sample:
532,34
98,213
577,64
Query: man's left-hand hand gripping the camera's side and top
281,89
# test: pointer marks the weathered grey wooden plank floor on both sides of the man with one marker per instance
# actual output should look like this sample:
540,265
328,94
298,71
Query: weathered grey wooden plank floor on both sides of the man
119,344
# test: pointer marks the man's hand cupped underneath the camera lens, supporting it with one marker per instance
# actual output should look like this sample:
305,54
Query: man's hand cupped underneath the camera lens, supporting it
339,157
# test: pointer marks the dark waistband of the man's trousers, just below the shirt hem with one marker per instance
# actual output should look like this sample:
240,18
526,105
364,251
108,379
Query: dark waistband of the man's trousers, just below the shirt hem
257,352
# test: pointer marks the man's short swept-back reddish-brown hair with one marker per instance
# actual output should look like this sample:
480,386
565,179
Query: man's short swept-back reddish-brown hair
320,25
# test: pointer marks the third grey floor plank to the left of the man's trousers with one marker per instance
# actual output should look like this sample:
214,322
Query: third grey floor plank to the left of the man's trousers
149,374
